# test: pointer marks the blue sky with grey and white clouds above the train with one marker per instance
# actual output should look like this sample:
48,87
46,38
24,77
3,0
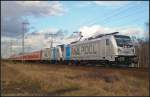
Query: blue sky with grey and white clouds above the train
65,17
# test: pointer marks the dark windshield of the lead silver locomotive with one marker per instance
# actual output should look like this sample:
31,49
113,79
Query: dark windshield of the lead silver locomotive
123,40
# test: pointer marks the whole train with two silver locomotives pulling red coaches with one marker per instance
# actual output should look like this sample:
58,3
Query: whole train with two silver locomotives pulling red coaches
107,49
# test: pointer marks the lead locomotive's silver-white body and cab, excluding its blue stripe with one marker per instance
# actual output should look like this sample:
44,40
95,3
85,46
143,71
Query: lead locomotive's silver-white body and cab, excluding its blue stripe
113,49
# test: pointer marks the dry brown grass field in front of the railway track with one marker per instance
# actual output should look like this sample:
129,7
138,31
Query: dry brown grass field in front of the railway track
45,79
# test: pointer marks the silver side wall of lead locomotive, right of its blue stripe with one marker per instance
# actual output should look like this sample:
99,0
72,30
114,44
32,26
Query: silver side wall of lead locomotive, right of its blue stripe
100,49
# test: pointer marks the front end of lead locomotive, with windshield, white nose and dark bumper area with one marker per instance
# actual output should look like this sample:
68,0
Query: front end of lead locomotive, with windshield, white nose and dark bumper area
125,50
